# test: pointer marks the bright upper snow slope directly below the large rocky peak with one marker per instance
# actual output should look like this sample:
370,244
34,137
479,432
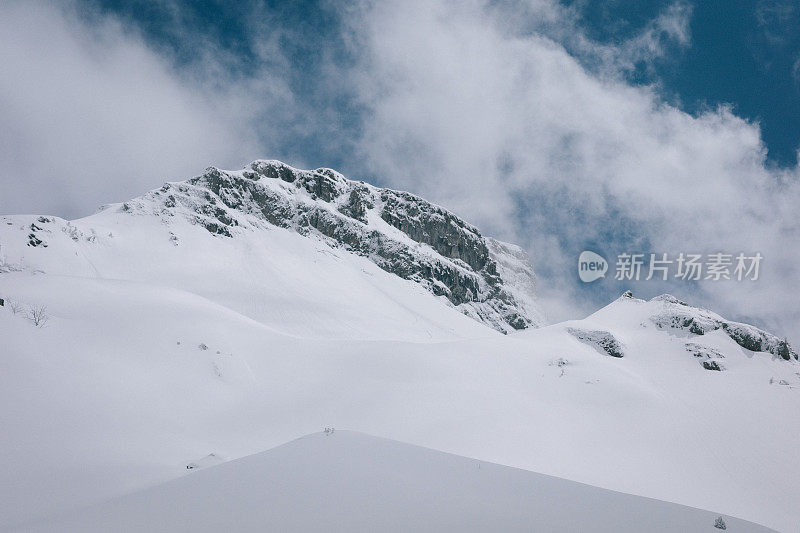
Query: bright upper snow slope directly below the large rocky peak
300,286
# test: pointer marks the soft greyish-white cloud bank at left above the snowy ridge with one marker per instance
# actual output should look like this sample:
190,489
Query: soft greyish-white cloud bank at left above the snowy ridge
91,115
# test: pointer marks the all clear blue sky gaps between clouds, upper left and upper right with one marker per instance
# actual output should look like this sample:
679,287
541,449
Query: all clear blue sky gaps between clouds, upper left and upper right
742,53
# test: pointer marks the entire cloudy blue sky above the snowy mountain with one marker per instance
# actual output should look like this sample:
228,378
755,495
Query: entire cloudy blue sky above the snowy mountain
661,126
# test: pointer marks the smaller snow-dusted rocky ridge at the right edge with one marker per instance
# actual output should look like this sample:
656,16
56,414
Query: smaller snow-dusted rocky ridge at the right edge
672,313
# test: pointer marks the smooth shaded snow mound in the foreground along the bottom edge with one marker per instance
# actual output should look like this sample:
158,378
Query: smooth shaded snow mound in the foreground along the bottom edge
346,481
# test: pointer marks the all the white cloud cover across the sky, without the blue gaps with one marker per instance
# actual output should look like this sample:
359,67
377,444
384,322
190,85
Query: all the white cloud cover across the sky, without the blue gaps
506,113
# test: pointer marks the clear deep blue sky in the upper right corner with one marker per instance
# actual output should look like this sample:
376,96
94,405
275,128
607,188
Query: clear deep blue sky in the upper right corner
742,53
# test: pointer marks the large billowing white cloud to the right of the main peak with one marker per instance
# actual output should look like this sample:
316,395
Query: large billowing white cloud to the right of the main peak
499,124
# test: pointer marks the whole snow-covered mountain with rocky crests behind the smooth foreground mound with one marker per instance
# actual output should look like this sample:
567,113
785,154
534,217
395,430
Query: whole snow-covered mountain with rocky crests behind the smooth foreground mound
219,317
